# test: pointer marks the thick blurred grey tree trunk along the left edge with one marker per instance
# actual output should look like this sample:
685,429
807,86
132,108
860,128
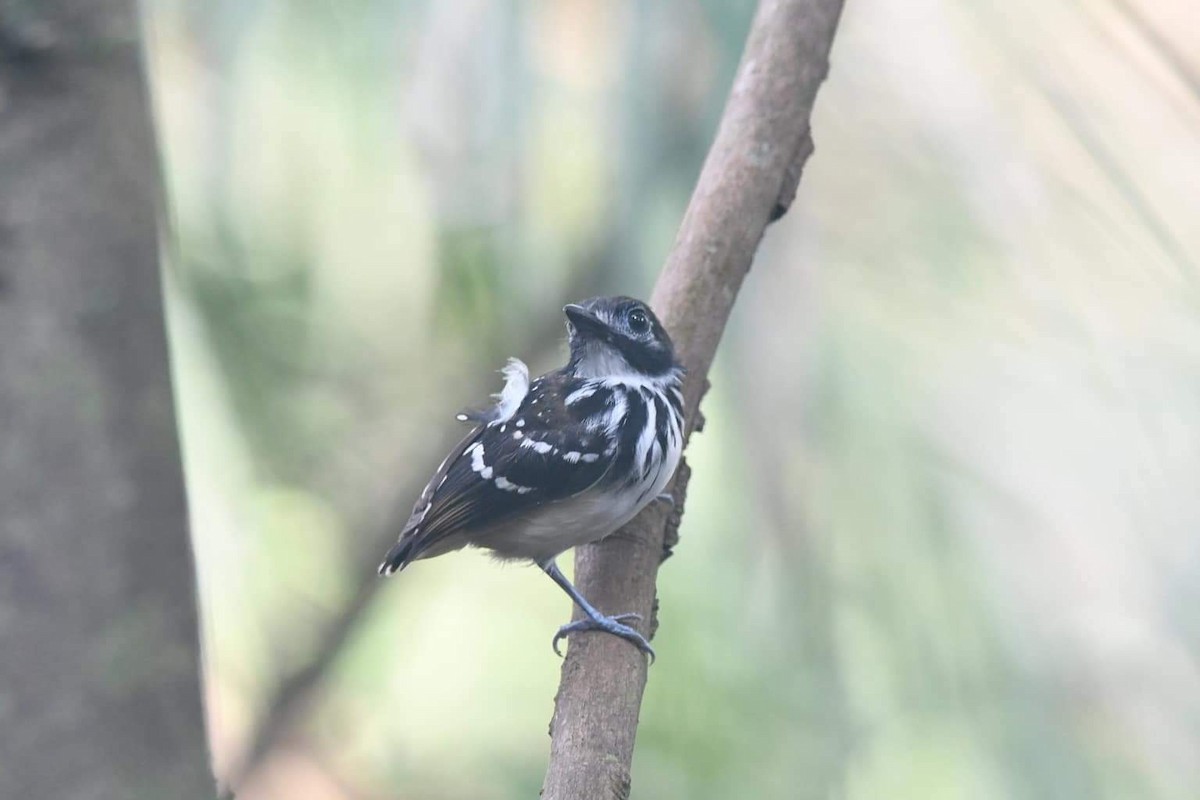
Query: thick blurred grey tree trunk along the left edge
100,693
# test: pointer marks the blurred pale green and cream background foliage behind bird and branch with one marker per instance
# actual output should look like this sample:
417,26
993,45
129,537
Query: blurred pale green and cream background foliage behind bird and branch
941,539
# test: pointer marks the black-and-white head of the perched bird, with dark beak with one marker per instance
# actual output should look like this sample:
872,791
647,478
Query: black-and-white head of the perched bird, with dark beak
619,336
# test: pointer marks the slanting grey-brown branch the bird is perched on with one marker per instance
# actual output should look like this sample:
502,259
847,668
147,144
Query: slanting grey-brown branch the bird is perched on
748,181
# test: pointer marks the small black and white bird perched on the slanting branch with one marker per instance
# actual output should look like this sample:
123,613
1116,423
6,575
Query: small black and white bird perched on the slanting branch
562,461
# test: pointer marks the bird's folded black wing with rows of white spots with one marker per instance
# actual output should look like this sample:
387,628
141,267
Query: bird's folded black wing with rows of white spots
542,454
